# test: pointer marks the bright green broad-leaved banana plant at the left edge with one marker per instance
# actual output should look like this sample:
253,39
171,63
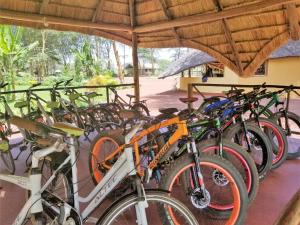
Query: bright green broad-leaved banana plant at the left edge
13,54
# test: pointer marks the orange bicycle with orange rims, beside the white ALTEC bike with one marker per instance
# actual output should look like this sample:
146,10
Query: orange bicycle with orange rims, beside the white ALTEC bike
105,151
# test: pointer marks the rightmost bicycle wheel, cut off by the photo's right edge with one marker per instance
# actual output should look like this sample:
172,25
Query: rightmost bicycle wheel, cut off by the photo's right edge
292,131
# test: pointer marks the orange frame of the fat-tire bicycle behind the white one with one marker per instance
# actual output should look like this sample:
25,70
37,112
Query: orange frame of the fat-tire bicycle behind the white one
179,133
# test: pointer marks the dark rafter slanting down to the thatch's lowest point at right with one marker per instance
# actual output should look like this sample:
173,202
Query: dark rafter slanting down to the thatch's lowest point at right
229,38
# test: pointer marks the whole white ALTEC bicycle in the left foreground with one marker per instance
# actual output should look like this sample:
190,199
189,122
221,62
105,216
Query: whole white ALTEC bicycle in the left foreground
45,207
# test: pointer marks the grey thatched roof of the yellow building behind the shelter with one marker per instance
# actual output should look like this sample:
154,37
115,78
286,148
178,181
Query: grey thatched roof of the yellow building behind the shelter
198,58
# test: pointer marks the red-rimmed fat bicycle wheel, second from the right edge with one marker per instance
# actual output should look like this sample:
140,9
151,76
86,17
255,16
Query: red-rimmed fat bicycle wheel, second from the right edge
277,138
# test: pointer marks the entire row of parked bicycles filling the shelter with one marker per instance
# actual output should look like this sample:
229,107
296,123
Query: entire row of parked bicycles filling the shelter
205,164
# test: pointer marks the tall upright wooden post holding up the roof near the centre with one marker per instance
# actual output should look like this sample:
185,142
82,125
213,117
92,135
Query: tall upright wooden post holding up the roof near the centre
135,63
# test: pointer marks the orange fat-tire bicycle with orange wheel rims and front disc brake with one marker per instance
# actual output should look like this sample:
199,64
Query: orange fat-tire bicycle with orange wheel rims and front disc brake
209,185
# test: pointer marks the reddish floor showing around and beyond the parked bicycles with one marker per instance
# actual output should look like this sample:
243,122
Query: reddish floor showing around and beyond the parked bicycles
274,192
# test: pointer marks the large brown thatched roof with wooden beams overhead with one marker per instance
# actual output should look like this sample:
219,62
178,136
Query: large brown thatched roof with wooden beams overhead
239,33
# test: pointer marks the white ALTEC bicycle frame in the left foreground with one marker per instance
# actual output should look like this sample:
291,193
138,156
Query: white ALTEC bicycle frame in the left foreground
123,167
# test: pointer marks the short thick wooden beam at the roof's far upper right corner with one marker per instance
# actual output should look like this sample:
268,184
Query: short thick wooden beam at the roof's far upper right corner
293,21
